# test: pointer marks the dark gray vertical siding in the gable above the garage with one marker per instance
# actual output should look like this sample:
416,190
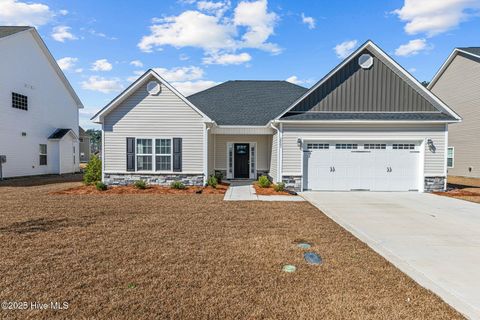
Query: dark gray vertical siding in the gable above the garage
378,89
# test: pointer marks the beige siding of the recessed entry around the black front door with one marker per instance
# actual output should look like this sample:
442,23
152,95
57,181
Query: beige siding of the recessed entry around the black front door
263,149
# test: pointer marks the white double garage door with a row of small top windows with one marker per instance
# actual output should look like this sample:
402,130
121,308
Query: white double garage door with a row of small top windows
374,166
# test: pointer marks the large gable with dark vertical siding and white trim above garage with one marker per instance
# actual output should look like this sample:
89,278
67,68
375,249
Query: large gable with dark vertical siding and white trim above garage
348,88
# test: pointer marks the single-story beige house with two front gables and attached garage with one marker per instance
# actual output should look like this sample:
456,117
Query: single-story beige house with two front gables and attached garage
367,125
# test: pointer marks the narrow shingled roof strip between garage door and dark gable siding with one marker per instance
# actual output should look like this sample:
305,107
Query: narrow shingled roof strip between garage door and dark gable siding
432,116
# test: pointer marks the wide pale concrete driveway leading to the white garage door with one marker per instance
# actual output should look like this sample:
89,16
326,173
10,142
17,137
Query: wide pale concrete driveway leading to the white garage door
433,239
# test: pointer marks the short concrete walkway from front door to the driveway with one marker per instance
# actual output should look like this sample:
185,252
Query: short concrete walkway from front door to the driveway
244,191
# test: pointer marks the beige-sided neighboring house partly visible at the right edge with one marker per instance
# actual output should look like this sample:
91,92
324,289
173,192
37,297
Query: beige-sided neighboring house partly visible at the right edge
457,83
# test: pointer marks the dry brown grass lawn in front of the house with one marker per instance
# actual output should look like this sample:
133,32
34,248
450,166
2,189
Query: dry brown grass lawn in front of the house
193,256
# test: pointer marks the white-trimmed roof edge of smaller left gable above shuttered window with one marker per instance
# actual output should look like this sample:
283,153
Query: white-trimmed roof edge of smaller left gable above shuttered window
98,117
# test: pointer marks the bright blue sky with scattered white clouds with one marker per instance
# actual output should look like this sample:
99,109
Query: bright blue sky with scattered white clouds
103,46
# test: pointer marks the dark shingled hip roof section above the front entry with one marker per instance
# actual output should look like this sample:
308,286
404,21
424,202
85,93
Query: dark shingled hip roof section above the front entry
246,102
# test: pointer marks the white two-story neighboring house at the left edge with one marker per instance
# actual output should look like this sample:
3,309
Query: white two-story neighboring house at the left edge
39,108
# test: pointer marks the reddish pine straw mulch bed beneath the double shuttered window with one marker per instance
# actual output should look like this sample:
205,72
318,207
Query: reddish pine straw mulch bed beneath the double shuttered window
153,189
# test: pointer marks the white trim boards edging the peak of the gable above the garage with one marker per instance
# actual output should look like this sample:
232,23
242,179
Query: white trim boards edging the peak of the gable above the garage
372,46
